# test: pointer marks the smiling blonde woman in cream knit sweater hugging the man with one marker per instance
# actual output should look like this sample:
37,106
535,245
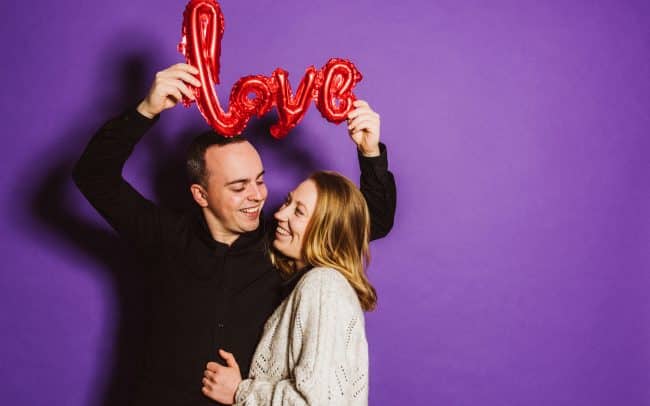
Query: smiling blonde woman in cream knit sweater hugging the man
314,348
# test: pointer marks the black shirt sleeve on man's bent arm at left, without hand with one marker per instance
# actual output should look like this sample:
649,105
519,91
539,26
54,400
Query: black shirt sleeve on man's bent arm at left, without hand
98,175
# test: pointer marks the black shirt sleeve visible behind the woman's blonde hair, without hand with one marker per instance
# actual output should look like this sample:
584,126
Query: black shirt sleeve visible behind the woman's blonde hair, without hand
378,187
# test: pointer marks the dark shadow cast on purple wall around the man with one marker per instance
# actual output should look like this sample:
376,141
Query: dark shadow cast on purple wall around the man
126,79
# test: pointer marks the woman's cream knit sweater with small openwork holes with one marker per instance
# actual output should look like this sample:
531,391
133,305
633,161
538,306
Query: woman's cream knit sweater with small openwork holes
314,349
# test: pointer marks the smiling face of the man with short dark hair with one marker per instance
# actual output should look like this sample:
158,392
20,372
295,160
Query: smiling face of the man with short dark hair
235,187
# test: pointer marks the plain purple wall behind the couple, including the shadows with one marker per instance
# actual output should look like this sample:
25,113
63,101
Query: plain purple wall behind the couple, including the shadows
517,272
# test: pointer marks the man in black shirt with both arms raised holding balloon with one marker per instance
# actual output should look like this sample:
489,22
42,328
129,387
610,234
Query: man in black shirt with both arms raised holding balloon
212,281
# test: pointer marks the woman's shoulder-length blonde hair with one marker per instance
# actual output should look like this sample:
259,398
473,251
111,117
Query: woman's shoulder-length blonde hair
337,235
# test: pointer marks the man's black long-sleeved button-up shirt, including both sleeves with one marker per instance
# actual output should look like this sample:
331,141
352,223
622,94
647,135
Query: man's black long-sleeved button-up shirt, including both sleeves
206,295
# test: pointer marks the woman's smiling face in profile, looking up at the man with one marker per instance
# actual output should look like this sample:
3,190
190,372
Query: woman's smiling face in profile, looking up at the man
293,217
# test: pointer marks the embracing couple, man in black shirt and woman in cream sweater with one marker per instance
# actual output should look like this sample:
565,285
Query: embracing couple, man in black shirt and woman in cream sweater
246,310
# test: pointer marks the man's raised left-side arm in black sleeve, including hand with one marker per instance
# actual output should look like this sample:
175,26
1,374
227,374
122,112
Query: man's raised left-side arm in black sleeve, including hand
98,173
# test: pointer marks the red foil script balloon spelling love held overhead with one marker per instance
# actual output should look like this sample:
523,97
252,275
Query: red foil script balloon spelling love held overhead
329,87
